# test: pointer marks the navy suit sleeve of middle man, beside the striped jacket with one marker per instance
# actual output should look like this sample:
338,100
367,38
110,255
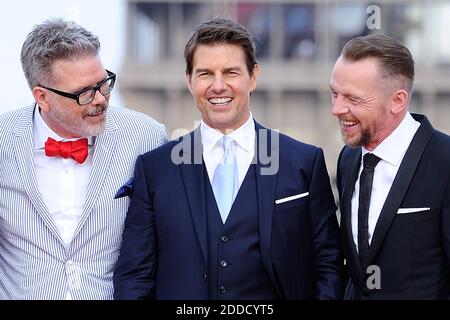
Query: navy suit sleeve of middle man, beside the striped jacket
136,266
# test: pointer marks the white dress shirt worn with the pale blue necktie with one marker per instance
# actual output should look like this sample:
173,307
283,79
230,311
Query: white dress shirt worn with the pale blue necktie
243,147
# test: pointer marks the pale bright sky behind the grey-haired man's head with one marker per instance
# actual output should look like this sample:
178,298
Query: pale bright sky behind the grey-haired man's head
105,18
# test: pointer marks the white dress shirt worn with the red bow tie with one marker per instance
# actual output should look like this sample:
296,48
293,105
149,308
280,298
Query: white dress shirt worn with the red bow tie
62,184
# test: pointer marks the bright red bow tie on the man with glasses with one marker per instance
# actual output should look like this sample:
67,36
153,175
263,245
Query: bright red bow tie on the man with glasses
77,150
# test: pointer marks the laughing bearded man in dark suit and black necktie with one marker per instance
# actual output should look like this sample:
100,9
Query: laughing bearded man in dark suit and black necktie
393,177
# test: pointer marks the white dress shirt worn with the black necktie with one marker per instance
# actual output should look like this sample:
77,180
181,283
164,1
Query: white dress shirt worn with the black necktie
391,151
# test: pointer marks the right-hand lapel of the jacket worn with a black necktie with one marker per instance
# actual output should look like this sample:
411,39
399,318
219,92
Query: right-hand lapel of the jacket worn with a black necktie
401,183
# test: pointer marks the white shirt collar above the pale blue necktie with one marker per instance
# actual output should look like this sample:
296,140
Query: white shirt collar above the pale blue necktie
244,136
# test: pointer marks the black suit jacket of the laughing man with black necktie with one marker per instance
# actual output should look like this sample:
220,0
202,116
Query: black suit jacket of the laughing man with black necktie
412,250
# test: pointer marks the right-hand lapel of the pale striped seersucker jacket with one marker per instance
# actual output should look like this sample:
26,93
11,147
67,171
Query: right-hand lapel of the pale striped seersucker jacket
104,147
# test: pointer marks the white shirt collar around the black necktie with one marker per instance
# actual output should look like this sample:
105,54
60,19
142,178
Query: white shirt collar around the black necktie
395,145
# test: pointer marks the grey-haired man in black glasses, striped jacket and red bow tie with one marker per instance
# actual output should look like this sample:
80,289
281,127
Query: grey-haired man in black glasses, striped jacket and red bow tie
62,159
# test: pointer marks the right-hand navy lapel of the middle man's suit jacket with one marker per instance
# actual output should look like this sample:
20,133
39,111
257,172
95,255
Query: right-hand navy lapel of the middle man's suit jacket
266,188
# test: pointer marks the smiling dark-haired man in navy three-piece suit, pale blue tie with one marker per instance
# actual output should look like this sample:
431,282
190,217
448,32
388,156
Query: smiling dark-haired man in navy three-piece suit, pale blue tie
232,210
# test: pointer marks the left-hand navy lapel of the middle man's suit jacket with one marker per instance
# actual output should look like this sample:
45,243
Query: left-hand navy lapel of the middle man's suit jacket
192,174
